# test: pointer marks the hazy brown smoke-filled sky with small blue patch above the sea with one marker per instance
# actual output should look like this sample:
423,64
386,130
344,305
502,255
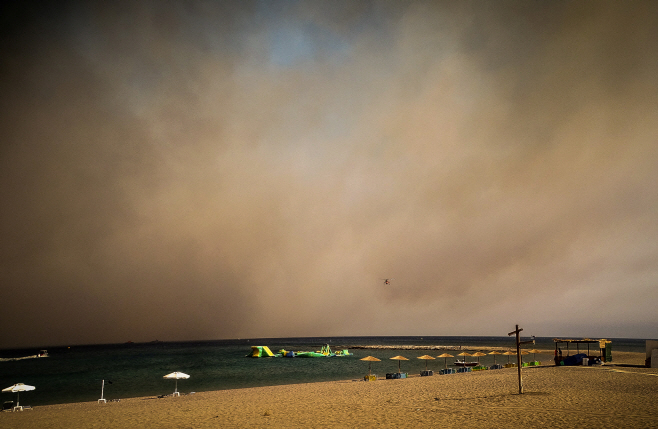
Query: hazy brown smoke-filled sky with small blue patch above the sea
206,169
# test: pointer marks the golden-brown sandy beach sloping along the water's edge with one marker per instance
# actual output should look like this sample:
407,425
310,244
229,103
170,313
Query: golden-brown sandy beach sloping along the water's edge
622,395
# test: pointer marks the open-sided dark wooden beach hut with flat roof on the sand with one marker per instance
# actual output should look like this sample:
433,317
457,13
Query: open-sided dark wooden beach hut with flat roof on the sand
565,348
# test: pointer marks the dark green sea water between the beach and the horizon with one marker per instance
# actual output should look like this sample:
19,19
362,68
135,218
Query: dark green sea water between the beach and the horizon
75,374
